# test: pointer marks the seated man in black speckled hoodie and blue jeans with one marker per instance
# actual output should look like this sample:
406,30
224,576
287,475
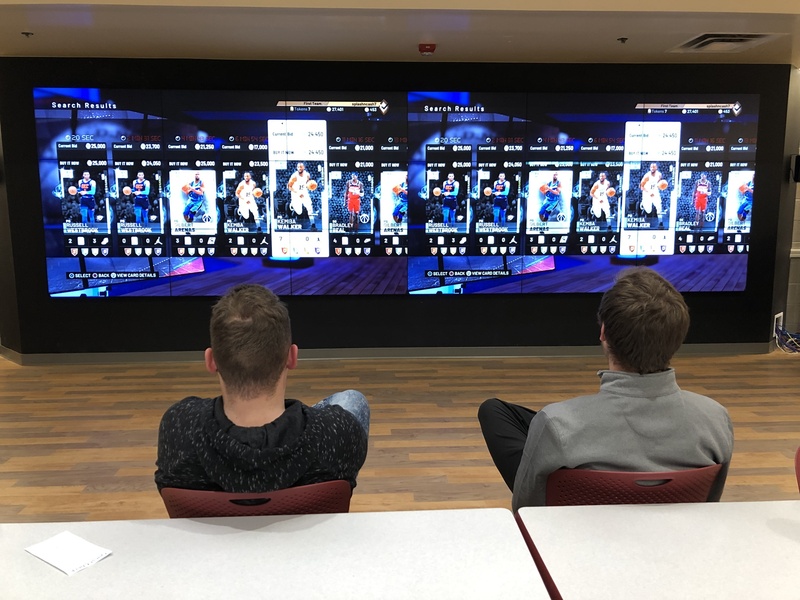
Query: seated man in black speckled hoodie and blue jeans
250,438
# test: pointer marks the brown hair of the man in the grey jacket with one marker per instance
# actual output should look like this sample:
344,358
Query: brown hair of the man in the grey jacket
645,319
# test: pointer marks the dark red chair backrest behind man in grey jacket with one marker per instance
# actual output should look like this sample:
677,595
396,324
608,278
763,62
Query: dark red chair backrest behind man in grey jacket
585,486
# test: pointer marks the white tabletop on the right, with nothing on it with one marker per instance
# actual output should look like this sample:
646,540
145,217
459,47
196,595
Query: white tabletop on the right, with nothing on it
736,550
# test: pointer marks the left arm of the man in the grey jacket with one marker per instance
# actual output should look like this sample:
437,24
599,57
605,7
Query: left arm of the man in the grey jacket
542,455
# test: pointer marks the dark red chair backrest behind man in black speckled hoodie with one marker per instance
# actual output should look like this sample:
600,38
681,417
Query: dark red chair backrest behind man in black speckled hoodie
315,498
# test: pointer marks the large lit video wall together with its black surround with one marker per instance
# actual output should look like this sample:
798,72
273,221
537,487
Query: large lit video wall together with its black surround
446,211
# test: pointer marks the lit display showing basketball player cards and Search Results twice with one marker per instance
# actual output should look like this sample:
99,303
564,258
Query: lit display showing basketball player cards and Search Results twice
183,193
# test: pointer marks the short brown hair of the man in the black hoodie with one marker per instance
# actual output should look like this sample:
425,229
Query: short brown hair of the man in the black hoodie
250,339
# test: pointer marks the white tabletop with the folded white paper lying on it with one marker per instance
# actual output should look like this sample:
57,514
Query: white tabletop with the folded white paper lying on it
437,554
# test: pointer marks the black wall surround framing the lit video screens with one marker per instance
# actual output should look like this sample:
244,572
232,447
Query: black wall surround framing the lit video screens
46,324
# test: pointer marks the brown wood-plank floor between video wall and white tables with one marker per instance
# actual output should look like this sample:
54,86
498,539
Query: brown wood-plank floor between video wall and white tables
79,442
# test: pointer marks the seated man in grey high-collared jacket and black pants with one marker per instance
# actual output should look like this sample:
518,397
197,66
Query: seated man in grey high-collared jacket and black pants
639,421
